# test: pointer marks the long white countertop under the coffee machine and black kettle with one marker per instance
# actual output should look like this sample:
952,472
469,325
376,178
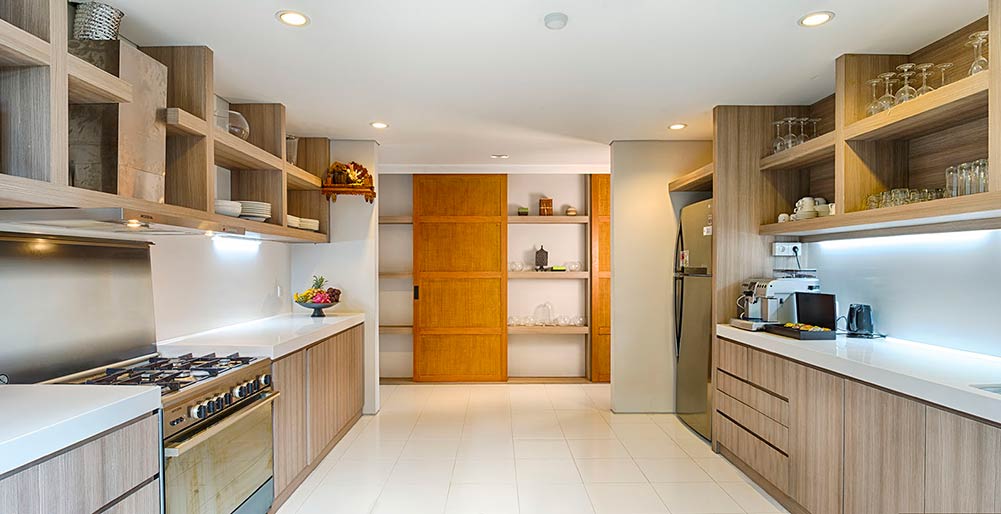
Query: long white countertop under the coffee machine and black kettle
936,375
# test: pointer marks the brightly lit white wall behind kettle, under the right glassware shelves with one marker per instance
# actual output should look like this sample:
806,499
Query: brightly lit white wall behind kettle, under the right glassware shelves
938,289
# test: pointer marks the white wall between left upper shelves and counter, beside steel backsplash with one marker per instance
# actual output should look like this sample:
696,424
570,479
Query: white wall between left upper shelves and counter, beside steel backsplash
202,283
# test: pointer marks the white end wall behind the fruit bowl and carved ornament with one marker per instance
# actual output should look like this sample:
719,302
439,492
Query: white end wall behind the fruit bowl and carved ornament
351,261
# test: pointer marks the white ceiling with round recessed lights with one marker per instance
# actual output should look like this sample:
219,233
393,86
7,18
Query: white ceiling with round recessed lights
459,81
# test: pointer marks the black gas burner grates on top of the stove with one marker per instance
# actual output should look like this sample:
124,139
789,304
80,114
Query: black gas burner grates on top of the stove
173,374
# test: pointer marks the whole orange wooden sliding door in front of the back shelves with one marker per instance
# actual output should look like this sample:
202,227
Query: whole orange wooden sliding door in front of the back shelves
460,278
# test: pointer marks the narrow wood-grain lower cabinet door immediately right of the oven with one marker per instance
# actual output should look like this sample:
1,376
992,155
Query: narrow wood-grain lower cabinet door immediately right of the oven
289,376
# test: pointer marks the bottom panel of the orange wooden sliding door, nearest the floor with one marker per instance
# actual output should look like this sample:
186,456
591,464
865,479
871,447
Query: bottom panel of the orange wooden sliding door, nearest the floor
461,357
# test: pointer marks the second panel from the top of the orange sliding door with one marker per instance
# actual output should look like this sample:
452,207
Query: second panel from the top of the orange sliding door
460,247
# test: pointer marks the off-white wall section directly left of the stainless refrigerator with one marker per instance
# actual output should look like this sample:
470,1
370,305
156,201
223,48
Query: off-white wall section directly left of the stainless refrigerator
644,227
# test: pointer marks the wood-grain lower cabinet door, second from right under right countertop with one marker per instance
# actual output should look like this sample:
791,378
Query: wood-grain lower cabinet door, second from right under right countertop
884,452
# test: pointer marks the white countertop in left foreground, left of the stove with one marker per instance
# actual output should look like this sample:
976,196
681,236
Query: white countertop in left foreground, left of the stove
42,419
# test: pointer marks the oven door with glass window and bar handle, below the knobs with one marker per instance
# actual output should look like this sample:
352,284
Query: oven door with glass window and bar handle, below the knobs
224,464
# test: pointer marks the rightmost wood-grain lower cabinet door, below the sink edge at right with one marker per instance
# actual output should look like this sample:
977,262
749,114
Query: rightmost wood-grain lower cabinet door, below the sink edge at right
962,463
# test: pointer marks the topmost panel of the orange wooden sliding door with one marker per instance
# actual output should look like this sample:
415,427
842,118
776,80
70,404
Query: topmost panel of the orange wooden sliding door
460,196
